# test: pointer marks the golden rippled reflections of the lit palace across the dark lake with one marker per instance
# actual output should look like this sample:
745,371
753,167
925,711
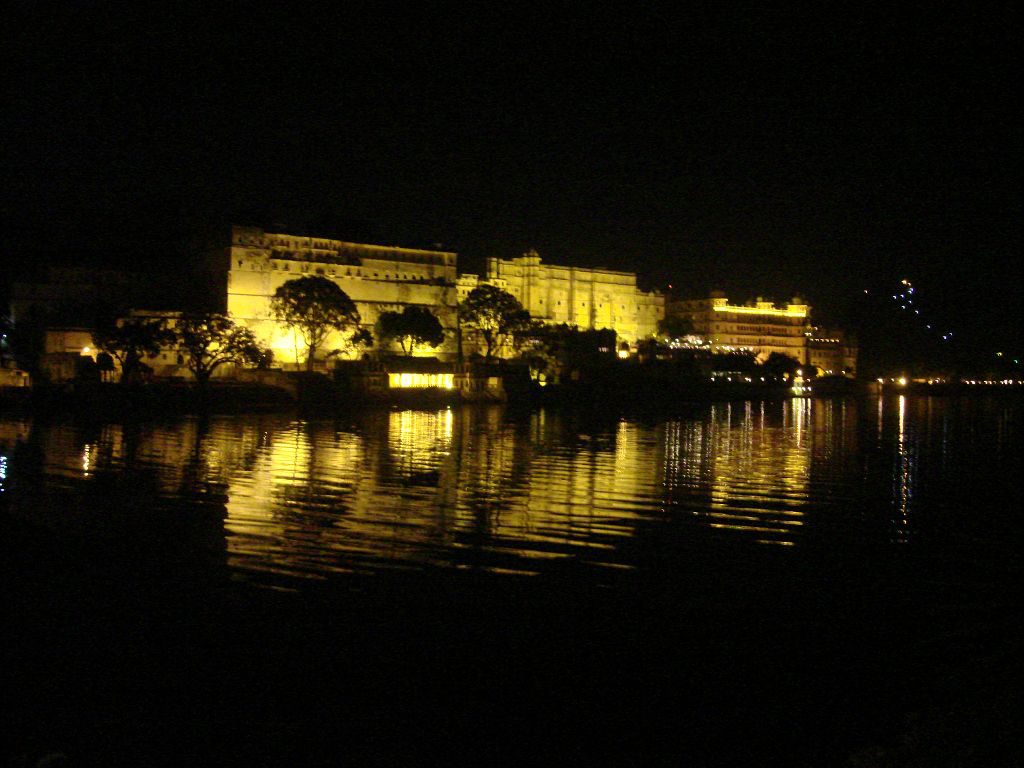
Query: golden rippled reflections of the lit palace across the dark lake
476,489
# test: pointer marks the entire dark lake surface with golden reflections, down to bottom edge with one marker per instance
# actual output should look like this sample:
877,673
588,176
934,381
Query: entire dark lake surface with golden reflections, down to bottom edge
793,583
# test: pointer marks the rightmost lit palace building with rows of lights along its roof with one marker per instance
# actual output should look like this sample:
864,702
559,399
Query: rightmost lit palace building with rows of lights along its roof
764,328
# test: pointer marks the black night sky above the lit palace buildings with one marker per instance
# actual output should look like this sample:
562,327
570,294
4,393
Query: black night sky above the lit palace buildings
761,152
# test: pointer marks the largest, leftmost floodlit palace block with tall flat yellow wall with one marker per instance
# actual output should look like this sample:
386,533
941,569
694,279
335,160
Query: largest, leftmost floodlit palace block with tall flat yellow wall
378,279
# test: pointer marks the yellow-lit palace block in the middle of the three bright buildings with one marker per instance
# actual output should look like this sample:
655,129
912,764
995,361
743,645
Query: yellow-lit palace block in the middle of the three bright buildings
576,296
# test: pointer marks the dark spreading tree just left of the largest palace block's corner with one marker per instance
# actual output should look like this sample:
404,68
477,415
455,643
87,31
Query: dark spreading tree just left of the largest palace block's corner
209,340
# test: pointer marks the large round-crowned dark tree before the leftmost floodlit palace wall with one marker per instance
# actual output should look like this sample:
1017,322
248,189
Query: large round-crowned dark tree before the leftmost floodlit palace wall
316,308
